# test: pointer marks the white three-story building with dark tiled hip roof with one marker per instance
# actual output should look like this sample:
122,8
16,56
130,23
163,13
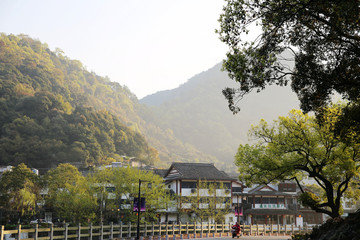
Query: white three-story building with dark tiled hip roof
191,182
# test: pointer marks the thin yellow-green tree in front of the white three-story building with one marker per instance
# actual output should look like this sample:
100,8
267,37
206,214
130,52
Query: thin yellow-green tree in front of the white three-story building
210,202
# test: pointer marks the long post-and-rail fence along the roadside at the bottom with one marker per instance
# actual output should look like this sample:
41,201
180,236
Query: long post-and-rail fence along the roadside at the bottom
151,231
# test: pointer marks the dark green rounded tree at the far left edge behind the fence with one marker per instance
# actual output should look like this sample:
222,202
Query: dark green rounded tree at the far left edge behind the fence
20,191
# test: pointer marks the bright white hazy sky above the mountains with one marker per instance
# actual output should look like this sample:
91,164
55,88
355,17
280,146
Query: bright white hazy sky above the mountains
147,45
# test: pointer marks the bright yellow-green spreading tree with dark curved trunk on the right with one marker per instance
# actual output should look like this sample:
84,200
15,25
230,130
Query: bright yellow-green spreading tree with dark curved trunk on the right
300,146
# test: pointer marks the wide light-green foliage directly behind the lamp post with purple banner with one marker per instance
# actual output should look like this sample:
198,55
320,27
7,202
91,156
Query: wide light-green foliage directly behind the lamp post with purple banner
115,189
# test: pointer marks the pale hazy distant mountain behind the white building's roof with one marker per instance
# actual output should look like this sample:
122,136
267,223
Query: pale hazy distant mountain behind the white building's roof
197,113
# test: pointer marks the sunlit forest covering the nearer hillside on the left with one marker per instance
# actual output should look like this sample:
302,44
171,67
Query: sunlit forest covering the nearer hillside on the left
52,110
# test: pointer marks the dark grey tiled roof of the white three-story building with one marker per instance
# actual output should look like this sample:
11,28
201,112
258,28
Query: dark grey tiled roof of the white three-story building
196,171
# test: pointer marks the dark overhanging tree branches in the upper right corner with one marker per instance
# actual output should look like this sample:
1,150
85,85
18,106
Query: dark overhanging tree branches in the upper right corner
322,37
